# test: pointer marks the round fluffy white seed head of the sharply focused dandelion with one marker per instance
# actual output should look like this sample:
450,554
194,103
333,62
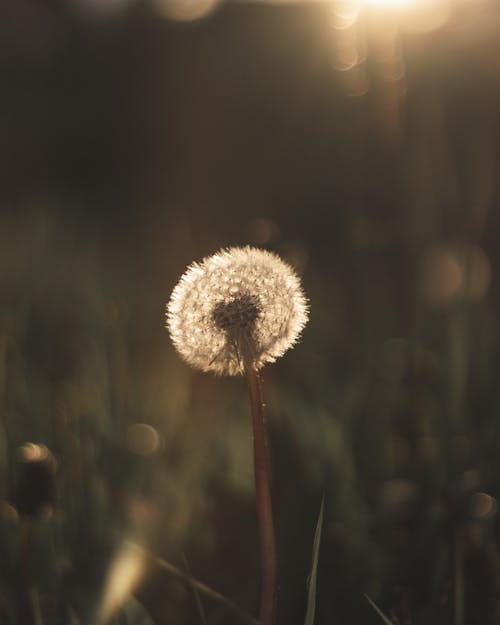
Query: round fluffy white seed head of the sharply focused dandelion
242,306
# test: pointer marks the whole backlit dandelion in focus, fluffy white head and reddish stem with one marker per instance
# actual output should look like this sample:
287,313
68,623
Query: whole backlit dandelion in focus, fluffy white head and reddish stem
231,314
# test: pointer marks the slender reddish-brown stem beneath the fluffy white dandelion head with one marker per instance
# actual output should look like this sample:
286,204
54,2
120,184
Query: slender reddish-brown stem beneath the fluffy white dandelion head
263,497
